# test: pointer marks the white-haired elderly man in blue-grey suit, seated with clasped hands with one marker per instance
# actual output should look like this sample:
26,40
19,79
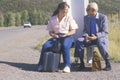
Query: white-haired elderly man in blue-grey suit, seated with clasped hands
95,33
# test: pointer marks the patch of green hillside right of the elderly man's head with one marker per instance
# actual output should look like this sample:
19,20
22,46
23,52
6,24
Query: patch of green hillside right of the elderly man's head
108,6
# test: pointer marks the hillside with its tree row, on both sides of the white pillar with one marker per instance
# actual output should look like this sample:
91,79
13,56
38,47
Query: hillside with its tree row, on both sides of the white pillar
16,12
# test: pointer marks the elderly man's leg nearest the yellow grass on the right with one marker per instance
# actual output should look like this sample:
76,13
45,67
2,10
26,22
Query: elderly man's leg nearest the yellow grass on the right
103,48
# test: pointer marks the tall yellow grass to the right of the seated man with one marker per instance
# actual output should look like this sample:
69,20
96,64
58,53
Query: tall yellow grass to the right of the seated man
114,40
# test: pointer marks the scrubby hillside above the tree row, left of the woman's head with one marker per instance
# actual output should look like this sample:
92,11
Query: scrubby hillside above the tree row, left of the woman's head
20,5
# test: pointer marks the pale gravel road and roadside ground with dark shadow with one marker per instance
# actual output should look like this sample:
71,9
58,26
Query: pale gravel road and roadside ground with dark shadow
18,59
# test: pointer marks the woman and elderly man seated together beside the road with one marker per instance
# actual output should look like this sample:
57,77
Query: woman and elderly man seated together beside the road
95,32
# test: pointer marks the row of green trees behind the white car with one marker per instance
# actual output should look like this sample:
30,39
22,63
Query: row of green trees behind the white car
36,17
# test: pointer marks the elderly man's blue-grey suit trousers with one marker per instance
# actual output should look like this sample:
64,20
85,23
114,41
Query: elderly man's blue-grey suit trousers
102,44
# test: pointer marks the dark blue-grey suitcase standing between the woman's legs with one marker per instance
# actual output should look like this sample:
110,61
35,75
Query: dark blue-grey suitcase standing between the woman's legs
50,61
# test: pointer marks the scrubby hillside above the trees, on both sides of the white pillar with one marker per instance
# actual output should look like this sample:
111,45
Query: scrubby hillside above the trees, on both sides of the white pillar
106,6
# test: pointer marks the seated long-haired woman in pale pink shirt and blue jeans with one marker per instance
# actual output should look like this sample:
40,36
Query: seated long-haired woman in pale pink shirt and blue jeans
60,23
